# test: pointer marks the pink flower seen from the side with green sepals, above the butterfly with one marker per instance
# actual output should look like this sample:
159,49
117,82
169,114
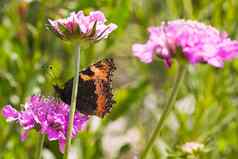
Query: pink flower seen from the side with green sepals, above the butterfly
77,25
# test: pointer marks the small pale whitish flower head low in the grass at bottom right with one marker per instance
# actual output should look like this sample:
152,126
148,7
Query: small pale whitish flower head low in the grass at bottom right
191,147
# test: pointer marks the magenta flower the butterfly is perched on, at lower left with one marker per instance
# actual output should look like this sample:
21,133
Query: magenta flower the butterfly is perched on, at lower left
48,116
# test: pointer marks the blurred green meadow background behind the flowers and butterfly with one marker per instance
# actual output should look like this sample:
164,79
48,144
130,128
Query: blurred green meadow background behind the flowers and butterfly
206,108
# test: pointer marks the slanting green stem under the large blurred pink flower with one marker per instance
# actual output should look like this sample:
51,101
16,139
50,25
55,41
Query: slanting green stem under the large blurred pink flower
167,109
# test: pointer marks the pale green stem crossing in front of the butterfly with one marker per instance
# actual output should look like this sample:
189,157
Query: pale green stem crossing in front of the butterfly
73,103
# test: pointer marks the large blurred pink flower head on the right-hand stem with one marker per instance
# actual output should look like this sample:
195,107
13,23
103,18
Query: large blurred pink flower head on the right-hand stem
198,42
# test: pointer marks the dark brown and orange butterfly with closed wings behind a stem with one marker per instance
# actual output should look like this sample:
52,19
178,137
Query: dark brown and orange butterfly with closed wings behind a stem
94,90
